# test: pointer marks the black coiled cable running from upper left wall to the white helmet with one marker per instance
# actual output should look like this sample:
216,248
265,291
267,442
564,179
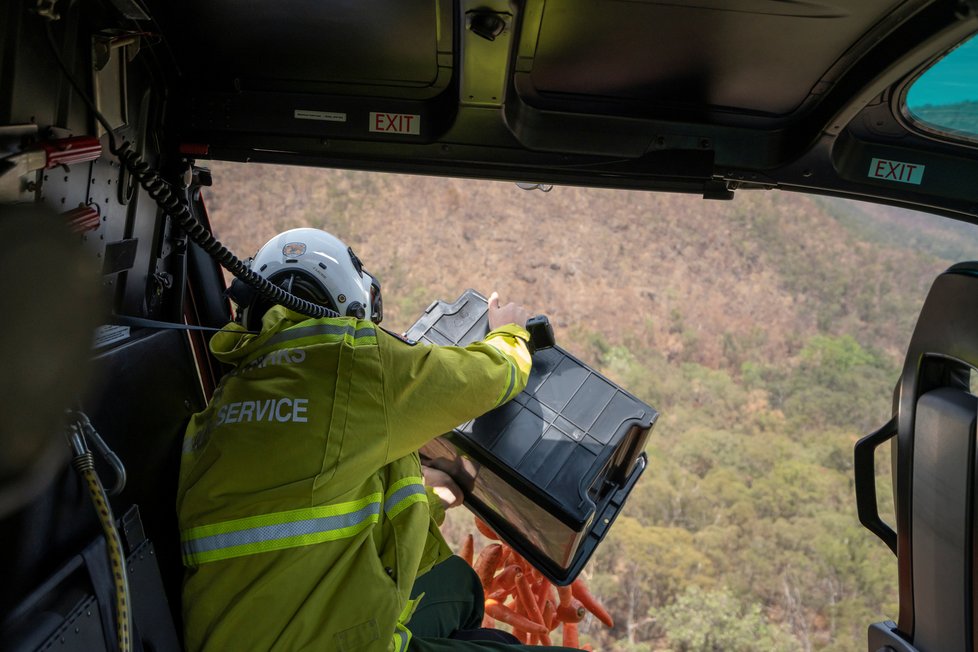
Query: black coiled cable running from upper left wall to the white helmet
178,210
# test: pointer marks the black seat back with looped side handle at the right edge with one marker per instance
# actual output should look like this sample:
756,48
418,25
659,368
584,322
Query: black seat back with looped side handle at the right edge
934,466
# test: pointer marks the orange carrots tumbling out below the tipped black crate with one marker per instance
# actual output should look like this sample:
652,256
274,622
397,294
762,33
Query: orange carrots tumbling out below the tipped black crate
519,596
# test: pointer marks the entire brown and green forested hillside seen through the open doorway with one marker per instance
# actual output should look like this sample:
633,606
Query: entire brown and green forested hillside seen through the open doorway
767,330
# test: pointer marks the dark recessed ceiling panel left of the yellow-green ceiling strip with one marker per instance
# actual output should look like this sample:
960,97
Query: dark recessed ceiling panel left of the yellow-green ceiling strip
366,42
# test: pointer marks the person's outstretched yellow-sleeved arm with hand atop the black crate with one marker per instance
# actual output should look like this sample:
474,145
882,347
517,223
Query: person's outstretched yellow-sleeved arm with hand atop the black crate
428,390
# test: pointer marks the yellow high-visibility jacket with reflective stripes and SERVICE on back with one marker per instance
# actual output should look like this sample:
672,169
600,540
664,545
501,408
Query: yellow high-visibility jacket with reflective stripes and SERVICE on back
304,521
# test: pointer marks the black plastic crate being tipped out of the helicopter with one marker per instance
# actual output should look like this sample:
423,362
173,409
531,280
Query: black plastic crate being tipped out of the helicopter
551,469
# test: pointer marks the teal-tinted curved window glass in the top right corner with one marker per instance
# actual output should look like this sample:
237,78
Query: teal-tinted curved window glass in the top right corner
944,100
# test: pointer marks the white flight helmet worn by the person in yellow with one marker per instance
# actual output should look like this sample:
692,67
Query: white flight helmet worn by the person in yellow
317,266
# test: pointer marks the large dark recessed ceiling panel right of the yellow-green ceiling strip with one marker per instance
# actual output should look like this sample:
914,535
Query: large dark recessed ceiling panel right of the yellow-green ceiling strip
762,56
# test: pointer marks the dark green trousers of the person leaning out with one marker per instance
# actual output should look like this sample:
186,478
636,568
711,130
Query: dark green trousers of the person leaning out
449,617
